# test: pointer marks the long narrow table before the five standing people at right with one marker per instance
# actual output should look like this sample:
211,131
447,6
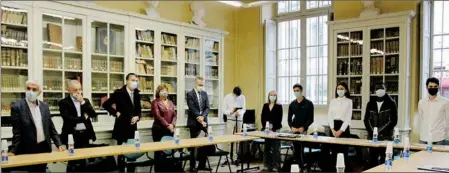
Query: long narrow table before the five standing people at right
345,141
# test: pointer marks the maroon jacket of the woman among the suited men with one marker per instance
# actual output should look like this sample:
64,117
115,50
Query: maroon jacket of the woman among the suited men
163,116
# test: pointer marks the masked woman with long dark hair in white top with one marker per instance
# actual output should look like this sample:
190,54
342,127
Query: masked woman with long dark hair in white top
339,118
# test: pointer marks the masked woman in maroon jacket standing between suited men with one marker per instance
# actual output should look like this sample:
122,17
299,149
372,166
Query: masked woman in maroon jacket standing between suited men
164,113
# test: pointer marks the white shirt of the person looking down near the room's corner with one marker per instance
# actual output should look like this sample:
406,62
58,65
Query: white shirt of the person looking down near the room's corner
230,102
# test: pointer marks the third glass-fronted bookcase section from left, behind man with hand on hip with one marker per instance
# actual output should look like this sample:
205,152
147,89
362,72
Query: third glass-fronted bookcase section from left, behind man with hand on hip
107,60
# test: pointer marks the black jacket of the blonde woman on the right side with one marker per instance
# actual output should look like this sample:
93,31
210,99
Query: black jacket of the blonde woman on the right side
274,116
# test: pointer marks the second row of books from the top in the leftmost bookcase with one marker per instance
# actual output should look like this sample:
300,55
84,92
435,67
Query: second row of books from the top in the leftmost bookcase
14,37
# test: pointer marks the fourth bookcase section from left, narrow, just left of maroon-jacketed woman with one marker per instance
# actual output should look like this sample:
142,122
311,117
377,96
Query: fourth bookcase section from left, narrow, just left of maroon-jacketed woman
144,56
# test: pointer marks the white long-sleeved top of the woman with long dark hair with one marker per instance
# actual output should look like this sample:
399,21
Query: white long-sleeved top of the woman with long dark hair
340,109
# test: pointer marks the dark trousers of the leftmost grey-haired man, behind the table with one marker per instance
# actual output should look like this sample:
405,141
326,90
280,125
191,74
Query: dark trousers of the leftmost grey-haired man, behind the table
42,147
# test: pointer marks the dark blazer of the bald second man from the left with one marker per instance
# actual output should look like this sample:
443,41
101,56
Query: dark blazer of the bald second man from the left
70,116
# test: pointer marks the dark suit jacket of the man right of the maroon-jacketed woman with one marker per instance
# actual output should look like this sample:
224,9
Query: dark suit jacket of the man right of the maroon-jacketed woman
194,108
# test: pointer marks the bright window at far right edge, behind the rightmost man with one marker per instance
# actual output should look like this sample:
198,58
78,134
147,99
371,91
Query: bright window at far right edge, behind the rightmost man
440,38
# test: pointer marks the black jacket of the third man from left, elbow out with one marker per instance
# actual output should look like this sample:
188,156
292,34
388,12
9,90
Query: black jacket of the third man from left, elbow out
122,128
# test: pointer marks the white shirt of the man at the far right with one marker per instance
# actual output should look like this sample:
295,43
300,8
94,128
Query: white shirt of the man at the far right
434,118
